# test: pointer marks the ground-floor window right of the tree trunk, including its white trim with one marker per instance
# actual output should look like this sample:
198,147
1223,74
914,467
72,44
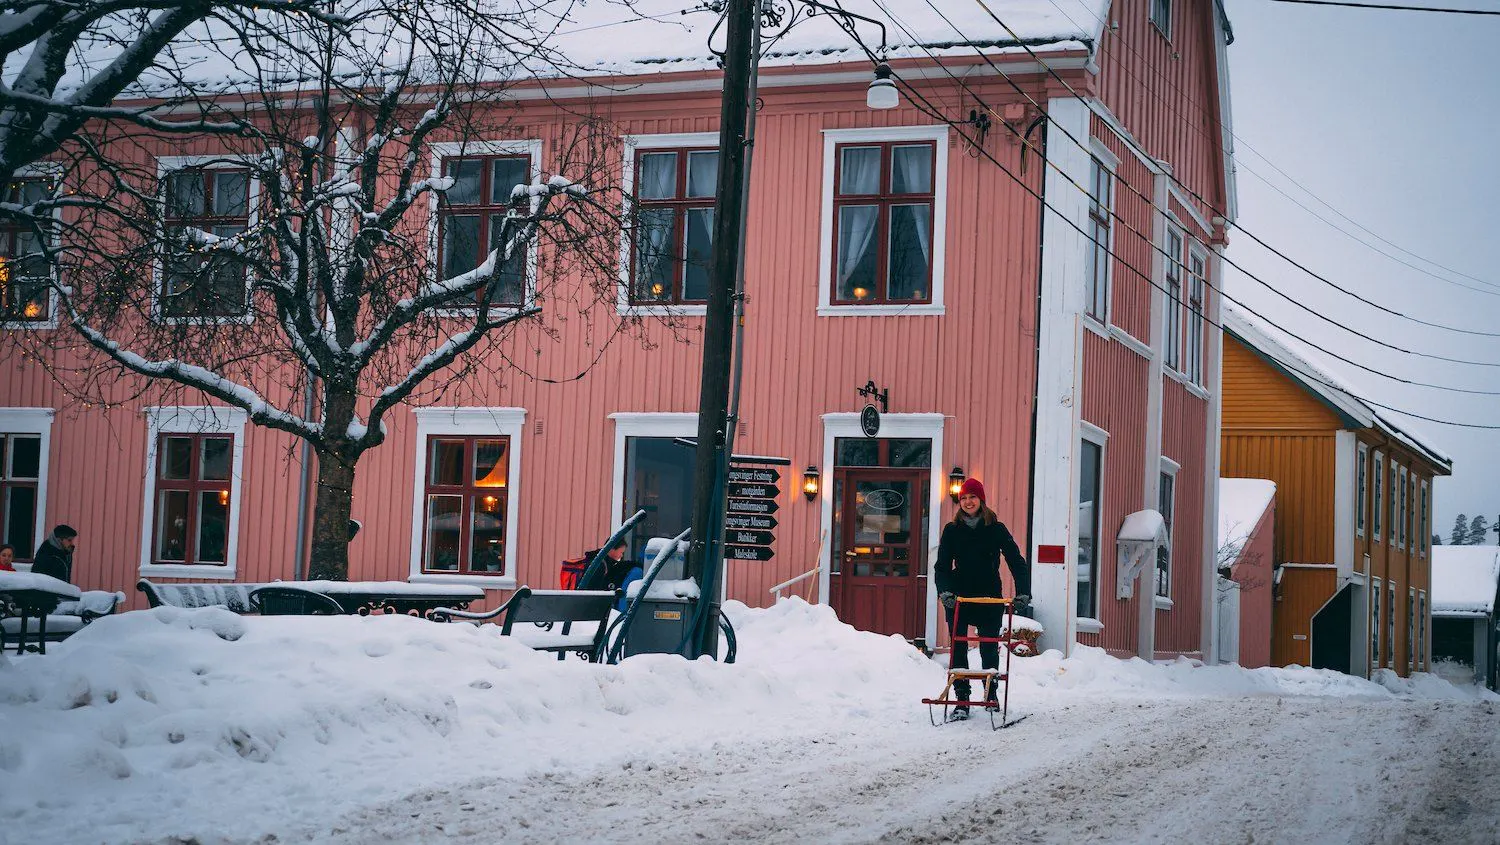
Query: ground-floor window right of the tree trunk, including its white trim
467,496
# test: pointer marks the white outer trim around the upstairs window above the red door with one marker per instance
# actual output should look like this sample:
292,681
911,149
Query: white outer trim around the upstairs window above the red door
826,230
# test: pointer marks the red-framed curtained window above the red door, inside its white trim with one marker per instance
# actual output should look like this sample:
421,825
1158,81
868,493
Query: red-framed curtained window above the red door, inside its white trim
884,200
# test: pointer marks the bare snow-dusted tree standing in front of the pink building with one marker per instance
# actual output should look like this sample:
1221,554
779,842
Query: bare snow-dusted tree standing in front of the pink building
296,272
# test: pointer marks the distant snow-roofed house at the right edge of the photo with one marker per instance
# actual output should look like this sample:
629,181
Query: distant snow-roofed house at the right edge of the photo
1466,594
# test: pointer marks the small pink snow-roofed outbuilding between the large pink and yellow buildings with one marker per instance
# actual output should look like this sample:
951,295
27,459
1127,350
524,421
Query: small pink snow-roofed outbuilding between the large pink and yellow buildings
1247,517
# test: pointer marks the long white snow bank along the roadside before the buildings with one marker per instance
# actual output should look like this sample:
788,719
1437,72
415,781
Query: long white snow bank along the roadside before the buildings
160,724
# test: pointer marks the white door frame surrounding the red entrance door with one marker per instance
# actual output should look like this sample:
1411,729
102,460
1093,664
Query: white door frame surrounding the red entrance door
926,426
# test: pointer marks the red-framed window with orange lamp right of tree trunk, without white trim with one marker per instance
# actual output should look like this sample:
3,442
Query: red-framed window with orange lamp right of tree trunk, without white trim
467,490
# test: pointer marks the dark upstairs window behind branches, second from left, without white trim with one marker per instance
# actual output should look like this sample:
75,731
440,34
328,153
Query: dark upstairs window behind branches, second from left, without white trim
197,280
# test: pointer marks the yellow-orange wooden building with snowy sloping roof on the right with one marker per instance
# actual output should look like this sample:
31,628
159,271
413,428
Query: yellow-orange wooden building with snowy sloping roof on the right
1354,507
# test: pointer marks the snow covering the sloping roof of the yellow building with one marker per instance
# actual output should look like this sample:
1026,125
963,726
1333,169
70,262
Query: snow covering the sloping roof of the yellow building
1306,368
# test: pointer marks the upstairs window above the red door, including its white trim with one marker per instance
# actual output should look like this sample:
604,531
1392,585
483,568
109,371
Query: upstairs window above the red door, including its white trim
884,221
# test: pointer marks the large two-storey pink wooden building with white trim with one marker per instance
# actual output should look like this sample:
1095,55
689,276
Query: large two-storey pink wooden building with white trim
1079,383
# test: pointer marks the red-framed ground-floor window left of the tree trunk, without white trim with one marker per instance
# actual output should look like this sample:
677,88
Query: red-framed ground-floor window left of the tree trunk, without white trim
193,499
